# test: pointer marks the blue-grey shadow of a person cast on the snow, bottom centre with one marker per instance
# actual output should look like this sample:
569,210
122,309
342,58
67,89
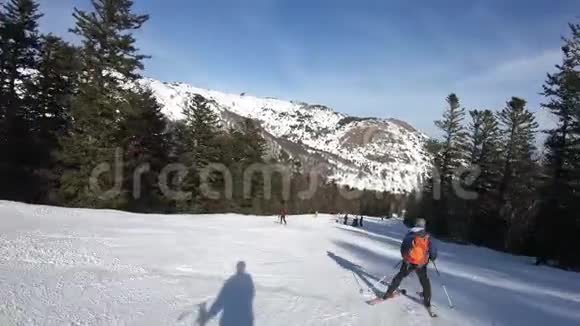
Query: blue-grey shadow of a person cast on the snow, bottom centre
234,301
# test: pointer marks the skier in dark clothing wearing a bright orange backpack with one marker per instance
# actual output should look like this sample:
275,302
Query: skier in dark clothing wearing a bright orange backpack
417,249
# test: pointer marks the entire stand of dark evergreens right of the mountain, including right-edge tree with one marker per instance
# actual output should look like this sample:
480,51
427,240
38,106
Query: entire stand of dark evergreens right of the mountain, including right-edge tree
521,206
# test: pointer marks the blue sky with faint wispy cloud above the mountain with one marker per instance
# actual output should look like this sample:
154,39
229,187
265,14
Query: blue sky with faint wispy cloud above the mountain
397,58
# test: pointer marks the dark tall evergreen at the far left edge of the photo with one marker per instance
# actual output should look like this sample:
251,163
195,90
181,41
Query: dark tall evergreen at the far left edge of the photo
19,55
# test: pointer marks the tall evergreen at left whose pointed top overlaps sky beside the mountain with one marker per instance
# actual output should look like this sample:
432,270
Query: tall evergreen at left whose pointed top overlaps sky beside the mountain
109,61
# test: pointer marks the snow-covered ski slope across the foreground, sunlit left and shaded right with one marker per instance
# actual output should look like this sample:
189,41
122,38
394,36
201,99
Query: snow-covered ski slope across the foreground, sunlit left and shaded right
89,267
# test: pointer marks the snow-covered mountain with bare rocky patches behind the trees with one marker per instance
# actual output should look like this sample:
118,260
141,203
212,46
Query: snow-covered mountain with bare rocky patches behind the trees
364,153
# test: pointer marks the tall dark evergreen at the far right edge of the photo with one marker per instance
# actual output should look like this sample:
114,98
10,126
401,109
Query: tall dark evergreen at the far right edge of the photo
558,222
